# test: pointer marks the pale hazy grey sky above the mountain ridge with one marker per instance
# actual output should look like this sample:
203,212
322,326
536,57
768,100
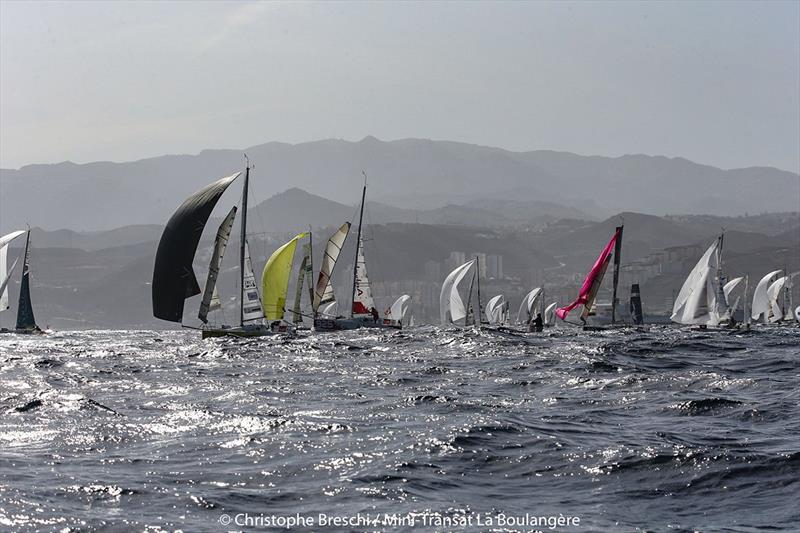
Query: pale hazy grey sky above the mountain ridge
715,82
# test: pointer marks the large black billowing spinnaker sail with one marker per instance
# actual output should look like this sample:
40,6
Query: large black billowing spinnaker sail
173,276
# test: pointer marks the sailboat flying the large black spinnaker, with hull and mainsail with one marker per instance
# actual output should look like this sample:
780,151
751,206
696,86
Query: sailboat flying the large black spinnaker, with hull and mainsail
174,279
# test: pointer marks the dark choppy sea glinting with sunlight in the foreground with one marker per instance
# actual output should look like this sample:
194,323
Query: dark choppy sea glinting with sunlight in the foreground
668,430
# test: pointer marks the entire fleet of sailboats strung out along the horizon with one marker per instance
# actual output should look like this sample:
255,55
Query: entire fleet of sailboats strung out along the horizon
706,299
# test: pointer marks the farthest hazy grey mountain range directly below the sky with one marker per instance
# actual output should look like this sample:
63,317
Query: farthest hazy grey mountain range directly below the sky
412,174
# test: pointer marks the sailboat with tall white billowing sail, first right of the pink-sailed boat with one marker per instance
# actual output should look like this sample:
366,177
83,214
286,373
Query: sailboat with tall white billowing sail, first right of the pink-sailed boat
701,300
